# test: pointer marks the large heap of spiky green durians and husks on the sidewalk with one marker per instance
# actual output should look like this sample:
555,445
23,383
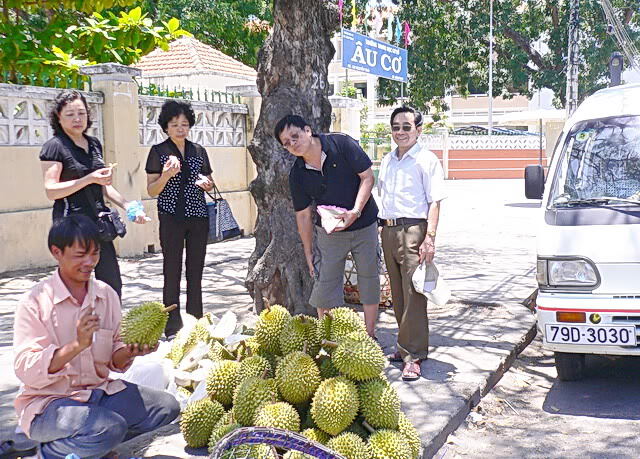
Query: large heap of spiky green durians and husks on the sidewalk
323,379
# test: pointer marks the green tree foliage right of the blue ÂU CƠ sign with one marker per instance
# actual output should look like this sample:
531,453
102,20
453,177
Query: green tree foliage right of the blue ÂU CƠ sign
450,49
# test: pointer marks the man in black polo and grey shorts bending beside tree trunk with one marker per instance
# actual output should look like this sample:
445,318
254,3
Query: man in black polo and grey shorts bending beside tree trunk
332,170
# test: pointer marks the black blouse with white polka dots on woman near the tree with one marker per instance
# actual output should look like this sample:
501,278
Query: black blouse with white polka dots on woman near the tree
181,196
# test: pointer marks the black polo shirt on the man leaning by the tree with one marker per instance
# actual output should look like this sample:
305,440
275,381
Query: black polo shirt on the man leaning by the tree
338,183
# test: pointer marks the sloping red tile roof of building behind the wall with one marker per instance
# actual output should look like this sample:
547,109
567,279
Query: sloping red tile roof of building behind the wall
188,55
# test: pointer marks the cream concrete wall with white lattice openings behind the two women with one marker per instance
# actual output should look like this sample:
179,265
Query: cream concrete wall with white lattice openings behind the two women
124,122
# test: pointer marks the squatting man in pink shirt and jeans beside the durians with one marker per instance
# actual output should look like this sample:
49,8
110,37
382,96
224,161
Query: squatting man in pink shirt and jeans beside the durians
66,339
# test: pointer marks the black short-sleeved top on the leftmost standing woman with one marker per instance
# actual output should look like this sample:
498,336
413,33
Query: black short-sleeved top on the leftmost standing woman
76,163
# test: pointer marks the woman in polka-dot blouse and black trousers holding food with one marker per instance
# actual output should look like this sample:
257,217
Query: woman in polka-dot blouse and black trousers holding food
178,173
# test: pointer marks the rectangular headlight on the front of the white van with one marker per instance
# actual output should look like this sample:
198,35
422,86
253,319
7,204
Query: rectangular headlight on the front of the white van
567,272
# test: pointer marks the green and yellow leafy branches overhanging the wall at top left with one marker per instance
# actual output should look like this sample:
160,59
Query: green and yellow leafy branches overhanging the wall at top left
51,44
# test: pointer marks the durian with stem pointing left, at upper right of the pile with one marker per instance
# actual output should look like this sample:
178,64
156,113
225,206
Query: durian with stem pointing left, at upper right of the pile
358,356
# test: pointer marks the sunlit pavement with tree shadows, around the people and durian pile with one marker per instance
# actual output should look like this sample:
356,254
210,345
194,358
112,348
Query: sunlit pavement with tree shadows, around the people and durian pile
486,252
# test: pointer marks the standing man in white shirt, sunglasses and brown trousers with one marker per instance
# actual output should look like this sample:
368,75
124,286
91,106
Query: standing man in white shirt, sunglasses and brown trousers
411,185
